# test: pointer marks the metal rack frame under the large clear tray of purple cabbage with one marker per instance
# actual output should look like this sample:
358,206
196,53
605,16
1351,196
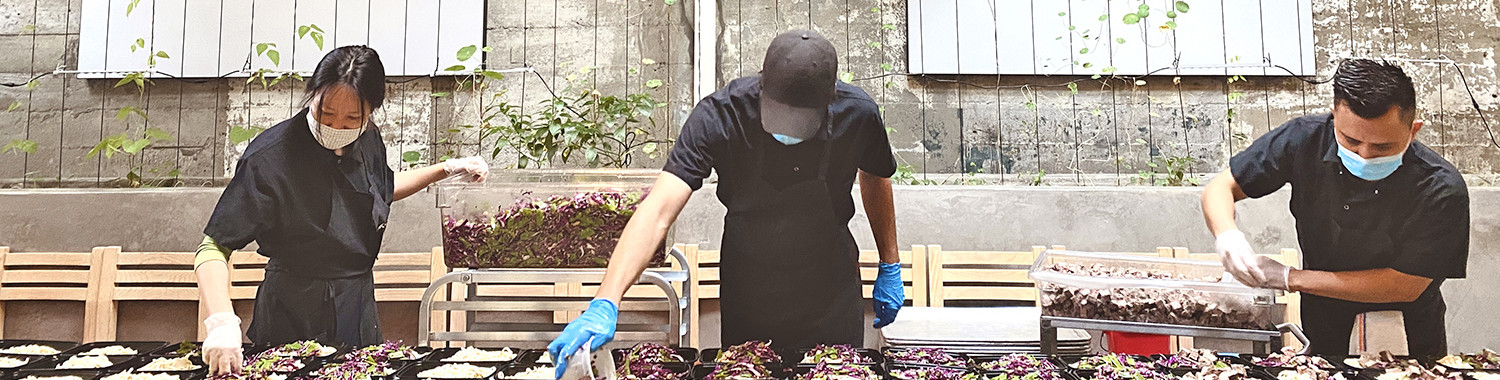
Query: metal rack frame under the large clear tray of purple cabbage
679,306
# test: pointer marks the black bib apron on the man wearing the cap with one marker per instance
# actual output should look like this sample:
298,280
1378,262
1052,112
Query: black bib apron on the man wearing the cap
790,270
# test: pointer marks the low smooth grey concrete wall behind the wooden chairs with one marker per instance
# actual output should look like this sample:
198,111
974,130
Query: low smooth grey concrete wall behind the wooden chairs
956,217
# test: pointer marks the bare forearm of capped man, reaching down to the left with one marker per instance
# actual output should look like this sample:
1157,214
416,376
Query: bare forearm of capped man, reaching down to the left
644,235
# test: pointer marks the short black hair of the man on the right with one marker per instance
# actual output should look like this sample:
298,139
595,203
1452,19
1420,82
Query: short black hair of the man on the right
1372,88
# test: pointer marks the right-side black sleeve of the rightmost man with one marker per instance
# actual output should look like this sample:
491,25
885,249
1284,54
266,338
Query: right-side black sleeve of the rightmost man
1435,241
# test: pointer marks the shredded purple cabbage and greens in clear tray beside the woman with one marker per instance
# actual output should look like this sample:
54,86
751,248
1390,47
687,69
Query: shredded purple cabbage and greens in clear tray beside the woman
559,232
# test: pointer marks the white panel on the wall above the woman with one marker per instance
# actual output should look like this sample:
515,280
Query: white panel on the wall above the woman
208,38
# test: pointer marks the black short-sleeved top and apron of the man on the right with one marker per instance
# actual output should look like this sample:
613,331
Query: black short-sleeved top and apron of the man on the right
1415,222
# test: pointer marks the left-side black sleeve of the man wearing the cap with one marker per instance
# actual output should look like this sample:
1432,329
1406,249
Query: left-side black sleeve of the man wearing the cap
692,158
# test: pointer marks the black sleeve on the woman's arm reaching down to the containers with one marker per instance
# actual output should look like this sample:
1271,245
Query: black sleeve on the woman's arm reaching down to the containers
245,211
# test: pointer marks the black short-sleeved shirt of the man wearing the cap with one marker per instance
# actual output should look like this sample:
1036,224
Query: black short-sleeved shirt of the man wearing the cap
724,128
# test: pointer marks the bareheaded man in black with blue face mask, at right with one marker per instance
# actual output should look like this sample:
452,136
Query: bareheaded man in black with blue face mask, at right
1382,220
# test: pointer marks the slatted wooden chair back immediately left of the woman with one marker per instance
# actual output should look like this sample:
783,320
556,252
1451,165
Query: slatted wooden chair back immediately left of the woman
142,277
